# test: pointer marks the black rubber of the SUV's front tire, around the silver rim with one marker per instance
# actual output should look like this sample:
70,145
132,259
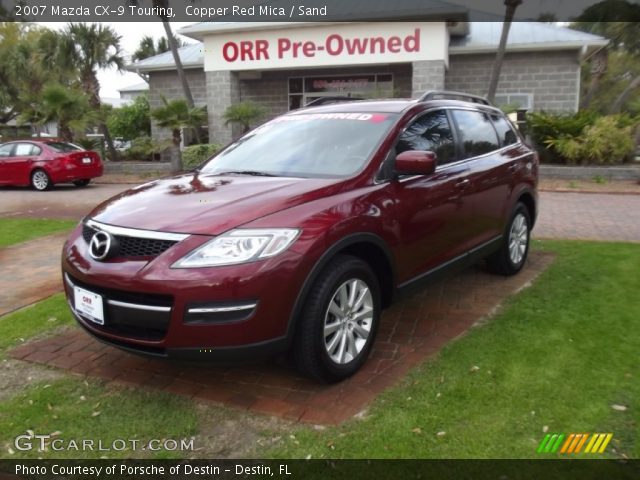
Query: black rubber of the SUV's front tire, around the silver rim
361,271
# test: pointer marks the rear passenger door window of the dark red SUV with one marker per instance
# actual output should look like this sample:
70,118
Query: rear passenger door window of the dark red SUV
476,133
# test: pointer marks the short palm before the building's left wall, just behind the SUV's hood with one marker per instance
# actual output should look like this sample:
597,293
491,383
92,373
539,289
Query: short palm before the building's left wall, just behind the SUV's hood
176,115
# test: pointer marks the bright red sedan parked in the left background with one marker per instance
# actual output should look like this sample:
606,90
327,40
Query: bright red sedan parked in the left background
43,163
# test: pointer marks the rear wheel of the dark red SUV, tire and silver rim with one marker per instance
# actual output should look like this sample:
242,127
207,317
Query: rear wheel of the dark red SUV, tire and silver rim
514,250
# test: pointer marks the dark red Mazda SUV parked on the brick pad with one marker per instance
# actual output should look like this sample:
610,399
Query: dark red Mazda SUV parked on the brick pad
296,236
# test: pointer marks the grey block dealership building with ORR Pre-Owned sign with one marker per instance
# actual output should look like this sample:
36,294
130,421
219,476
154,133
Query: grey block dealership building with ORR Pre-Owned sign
283,66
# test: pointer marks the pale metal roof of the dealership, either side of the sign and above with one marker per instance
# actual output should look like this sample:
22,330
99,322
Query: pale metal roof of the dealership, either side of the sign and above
483,37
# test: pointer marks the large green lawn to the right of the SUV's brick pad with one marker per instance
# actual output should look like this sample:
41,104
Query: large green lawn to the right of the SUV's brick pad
555,359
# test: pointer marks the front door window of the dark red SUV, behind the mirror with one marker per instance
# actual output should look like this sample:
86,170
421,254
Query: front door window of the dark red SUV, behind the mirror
431,132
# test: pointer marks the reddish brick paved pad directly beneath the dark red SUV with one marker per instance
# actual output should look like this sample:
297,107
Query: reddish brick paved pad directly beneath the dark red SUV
418,325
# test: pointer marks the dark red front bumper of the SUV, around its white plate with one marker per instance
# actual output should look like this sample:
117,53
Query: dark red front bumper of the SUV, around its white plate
210,313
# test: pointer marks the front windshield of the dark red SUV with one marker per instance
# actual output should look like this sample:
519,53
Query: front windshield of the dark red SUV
331,145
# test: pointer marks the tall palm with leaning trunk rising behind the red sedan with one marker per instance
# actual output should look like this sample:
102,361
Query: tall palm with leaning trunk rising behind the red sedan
88,48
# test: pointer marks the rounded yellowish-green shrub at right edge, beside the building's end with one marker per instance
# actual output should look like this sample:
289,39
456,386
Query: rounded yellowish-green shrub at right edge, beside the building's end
608,141
